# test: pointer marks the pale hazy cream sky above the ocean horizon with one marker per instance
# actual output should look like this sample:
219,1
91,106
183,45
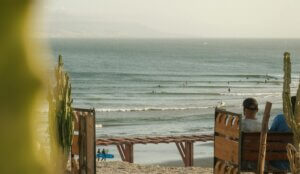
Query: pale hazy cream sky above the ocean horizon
172,18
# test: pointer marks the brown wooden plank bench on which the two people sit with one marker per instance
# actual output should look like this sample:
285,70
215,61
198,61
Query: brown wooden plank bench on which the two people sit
232,147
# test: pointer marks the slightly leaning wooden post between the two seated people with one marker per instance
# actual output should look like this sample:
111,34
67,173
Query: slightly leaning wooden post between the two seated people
263,139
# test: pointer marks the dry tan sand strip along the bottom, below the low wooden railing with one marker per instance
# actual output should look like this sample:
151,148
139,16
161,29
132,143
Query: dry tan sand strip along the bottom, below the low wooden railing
127,168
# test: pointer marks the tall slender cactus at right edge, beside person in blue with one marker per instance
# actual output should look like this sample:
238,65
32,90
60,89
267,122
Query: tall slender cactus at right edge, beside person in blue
292,117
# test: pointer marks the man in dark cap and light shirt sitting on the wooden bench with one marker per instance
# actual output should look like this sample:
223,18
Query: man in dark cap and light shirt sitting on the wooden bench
250,123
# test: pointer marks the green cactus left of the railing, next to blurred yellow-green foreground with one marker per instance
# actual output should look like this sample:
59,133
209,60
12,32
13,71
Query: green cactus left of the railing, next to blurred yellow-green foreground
60,112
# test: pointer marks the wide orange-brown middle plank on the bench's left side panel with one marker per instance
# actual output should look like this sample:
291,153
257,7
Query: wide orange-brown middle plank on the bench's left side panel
226,149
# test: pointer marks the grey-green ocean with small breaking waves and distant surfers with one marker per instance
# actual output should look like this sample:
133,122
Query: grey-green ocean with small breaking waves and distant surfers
158,87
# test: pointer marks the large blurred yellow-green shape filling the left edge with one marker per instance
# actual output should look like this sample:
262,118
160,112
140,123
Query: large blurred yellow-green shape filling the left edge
21,86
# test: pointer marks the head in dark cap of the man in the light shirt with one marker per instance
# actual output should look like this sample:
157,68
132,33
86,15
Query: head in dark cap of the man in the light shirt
250,108
